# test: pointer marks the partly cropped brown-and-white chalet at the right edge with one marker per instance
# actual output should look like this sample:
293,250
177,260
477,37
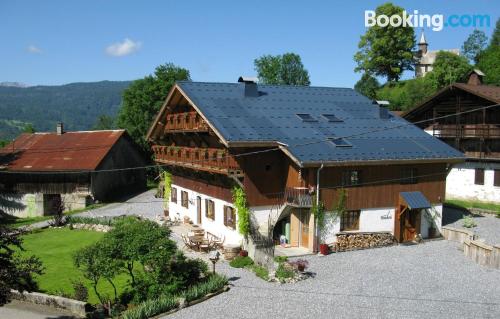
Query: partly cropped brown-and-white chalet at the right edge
477,134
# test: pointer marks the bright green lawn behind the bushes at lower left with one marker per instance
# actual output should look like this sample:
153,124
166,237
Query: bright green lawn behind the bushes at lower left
55,247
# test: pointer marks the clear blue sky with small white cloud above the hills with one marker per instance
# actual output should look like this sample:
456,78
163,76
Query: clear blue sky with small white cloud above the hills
57,42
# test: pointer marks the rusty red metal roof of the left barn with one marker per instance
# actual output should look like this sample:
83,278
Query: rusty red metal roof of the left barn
71,151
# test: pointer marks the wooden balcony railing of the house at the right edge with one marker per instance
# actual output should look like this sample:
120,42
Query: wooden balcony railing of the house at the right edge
466,131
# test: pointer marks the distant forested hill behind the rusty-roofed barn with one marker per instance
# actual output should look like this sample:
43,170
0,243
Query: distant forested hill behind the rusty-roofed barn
77,105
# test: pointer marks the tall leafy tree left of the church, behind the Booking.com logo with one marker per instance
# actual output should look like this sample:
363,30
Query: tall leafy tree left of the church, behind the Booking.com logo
386,51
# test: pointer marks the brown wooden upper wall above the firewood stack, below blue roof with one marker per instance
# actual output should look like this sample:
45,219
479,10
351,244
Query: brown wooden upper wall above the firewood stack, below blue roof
386,194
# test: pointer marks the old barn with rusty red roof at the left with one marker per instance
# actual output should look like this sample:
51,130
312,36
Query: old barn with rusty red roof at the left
39,170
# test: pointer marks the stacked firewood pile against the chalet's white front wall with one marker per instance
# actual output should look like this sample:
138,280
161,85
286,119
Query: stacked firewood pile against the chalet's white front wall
352,241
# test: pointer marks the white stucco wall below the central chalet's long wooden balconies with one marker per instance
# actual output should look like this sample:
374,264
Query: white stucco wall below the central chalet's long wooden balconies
215,226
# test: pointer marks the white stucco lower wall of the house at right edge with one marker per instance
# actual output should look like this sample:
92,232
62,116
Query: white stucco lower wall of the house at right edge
460,184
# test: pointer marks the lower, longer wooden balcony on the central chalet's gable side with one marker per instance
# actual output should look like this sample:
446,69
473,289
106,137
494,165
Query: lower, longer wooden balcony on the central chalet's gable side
213,160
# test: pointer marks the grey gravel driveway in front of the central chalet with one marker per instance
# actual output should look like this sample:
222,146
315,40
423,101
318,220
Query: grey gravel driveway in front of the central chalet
430,280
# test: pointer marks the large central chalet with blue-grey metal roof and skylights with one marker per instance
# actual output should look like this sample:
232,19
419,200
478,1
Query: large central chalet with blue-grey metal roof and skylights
205,131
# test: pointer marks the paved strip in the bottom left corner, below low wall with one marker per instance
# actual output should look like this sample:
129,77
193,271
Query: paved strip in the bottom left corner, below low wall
22,310
